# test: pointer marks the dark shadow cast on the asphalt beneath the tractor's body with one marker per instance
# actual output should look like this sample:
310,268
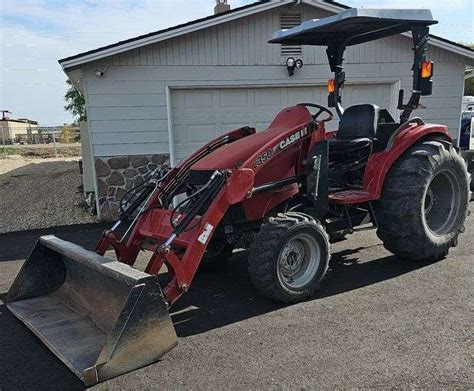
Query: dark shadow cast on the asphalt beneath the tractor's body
217,299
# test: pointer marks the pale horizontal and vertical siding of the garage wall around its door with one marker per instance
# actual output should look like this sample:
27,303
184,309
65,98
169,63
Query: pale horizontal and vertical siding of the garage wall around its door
127,107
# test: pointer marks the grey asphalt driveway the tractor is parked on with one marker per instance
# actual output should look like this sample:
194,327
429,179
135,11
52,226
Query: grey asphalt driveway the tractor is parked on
378,322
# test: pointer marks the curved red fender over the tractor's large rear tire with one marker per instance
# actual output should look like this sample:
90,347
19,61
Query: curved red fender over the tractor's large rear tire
380,163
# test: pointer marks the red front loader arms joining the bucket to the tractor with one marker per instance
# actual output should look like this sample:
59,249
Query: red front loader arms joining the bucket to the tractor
179,239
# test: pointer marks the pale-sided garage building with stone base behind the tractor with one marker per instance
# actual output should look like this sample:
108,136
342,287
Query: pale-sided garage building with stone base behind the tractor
160,96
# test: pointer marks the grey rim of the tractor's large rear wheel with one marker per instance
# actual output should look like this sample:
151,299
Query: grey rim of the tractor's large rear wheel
441,202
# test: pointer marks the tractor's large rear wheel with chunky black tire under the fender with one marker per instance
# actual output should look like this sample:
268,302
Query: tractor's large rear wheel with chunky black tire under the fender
424,202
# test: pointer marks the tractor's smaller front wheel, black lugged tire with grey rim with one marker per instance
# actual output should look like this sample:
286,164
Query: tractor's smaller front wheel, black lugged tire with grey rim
289,257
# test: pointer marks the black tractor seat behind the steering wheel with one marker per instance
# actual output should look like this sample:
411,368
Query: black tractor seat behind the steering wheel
357,129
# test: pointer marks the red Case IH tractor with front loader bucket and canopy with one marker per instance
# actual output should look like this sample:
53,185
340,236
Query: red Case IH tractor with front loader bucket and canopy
290,190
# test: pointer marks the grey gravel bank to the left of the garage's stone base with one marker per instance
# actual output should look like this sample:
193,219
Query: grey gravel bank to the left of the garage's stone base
39,193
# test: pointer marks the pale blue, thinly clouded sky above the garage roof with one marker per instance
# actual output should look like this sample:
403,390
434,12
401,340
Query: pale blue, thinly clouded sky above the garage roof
35,34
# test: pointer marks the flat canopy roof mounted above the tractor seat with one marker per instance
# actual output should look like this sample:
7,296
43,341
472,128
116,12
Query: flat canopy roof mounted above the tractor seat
355,26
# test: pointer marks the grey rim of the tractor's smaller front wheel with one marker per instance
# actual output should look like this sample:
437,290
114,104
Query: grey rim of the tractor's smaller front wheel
299,261
